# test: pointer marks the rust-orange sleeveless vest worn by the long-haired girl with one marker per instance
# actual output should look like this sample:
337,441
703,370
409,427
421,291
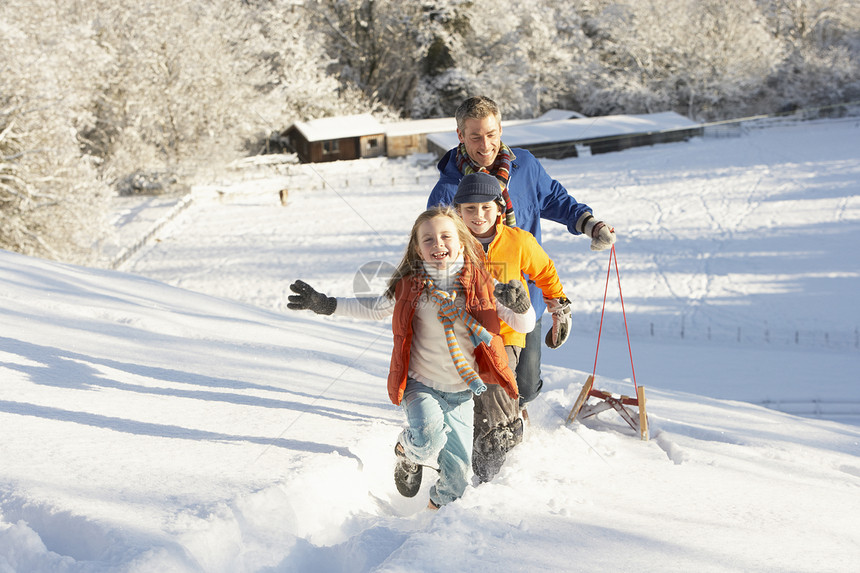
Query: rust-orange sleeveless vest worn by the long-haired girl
492,360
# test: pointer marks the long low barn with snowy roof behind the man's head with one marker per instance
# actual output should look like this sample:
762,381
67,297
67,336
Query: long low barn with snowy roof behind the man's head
556,139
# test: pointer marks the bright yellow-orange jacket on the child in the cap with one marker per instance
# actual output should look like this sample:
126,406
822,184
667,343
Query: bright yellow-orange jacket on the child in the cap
513,253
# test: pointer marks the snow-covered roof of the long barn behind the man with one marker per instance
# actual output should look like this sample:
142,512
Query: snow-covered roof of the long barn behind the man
535,132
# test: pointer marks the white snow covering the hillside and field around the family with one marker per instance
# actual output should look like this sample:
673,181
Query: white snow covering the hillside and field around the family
173,416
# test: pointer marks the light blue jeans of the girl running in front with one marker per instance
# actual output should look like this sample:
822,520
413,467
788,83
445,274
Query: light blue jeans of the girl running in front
439,429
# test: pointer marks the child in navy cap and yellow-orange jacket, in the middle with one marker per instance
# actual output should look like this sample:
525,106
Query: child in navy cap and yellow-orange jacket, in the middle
512,254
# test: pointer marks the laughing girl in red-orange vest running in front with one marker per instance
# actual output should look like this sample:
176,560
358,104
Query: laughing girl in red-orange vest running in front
446,346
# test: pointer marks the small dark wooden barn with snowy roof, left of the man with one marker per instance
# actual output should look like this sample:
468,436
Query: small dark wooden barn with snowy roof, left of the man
337,138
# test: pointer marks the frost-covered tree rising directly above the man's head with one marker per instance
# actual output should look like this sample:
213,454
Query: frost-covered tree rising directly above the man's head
528,59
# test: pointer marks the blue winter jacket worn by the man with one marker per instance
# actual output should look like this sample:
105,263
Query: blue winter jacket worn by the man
534,193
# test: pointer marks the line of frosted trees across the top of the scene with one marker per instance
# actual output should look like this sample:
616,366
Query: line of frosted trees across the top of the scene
96,93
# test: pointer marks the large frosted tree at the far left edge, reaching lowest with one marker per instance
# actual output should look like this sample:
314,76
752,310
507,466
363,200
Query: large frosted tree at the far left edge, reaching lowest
51,202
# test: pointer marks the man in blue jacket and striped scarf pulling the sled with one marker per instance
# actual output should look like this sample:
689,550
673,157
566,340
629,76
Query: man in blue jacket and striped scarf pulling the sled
530,194
